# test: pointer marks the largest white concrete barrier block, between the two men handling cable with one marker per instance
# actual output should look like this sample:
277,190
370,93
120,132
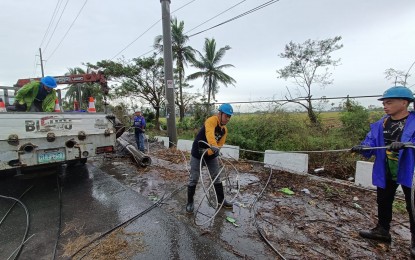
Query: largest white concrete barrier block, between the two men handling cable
291,162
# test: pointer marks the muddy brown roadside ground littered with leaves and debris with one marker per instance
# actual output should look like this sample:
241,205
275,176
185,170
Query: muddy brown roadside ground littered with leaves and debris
320,220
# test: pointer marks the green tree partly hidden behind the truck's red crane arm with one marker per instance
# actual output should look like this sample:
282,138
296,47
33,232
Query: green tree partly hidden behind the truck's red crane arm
82,92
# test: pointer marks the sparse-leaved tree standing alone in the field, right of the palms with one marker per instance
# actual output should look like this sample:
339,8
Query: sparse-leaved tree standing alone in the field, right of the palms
309,65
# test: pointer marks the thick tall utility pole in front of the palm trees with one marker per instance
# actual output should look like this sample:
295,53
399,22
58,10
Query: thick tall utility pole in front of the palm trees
168,73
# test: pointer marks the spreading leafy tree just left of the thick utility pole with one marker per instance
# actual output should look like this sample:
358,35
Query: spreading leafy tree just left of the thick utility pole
141,78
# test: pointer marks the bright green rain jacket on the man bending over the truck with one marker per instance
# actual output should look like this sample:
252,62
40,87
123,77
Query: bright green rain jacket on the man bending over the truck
28,92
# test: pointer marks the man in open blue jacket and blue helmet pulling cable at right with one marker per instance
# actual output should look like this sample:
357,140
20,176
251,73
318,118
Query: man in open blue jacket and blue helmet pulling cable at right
393,166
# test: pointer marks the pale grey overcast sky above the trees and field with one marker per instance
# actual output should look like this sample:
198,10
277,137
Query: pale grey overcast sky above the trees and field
377,35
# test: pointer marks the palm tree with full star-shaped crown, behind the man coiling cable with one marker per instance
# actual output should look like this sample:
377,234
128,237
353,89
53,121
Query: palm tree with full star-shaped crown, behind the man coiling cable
210,70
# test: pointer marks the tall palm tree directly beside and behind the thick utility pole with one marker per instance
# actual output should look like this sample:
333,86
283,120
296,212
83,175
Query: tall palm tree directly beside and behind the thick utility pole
181,54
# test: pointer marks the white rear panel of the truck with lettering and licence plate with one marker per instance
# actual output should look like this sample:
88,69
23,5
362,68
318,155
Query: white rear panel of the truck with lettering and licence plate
30,139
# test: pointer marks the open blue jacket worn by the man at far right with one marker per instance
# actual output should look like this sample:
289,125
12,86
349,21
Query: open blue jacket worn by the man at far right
406,156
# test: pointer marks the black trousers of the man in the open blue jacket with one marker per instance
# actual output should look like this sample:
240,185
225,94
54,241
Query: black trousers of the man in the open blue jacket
385,198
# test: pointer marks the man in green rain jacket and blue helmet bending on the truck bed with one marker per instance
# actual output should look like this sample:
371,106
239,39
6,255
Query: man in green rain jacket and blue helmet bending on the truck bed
37,96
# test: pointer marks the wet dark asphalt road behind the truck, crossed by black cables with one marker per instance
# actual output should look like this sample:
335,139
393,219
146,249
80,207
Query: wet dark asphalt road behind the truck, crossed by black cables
92,202
